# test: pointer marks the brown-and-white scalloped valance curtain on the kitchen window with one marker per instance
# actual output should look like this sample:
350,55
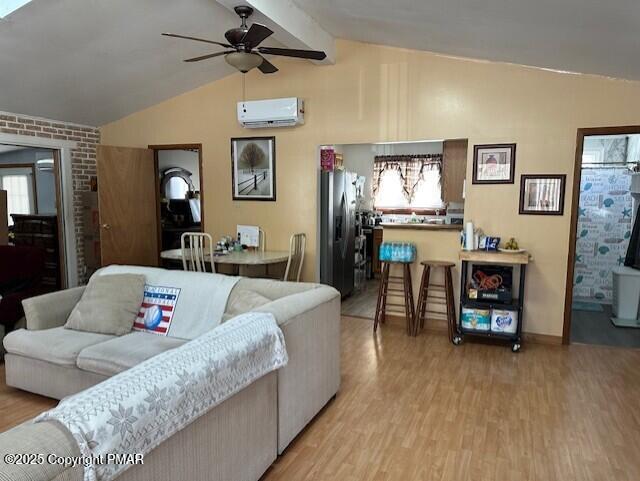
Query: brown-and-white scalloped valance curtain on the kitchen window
410,167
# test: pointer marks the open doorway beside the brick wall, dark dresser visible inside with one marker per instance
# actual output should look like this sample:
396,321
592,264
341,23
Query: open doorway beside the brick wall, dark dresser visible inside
32,258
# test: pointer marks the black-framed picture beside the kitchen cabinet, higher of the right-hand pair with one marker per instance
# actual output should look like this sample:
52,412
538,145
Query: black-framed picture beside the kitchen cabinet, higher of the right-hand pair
494,164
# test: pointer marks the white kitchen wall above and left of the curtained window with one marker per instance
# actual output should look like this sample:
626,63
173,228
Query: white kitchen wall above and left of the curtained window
359,158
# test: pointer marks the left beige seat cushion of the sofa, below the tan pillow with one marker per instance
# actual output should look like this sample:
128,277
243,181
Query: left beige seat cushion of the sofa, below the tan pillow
58,345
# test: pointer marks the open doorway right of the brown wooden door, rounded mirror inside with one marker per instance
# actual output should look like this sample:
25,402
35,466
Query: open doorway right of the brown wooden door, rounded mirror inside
179,193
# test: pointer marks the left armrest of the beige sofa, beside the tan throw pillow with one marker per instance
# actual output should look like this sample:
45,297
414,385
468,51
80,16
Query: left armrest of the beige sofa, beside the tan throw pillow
51,310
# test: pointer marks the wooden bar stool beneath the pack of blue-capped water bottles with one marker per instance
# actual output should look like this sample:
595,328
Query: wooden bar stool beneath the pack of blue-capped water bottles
395,286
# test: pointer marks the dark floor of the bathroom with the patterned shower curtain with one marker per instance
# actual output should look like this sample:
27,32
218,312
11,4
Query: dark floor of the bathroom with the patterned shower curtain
589,327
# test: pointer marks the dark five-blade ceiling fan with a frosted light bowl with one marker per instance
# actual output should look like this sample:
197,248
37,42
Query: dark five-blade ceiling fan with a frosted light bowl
243,50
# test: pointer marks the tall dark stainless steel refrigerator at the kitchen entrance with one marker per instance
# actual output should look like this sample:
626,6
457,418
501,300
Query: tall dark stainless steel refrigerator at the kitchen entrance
337,229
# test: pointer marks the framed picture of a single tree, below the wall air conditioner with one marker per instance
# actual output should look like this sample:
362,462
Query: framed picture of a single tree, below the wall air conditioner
253,168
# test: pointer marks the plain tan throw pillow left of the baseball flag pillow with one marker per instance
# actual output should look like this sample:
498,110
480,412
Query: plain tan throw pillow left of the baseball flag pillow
109,304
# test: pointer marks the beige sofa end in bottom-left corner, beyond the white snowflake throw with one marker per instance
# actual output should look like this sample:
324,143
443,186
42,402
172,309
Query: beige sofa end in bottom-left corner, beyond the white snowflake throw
44,439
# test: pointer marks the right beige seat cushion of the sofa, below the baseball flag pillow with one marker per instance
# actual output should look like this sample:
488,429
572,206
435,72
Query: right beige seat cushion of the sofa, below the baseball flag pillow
121,353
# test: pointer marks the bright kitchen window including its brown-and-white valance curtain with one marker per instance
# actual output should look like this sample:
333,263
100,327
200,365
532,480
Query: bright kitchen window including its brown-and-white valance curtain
408,183
